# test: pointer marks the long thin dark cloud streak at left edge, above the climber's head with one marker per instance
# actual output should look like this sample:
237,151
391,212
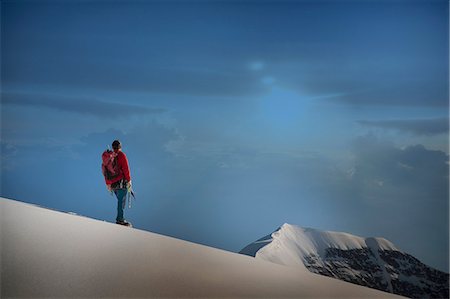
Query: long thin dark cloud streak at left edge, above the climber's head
95,107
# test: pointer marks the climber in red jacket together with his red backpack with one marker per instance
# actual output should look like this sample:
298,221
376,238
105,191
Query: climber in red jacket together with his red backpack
117,177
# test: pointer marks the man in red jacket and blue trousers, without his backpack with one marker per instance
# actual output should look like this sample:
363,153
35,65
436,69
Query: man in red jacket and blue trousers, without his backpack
122,183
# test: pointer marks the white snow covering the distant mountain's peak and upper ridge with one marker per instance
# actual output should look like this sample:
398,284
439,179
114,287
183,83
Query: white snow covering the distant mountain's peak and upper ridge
291,244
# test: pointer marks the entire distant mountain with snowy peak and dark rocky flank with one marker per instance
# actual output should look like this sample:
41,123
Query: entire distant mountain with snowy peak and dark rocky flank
371,262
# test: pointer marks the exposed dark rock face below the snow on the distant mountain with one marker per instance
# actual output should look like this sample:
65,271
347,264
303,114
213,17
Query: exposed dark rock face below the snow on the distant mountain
387,270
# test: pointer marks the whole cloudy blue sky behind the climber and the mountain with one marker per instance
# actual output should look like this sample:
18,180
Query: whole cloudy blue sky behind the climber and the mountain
236,116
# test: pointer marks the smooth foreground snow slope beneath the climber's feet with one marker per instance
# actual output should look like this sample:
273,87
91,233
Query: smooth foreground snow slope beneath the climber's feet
45,253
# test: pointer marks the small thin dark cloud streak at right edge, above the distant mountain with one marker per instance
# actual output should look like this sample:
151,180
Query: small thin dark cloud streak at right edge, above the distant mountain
427,127
